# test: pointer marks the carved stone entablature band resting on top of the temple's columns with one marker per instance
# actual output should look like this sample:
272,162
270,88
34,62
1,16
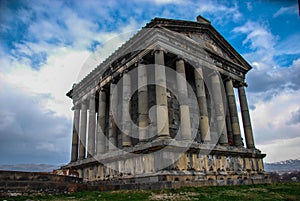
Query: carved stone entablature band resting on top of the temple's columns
147,40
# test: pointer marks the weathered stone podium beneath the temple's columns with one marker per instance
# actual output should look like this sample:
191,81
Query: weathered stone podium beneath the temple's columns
170,162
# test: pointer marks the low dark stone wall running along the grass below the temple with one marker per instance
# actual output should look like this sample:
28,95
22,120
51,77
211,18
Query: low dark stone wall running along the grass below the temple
24,183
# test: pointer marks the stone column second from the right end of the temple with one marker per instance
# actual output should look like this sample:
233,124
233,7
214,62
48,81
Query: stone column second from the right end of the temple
237,140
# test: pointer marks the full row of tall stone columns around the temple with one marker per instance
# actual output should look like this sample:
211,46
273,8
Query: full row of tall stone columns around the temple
101,139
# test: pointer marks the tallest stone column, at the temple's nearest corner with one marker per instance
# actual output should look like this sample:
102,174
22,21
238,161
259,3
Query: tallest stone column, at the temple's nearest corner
162,116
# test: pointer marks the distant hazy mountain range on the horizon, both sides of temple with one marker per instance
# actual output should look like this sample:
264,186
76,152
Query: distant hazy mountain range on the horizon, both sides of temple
282,166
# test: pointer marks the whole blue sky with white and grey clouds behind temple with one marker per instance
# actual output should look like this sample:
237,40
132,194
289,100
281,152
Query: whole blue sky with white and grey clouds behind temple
45,44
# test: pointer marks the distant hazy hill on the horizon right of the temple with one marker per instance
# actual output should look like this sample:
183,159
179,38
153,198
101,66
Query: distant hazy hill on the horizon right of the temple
283,166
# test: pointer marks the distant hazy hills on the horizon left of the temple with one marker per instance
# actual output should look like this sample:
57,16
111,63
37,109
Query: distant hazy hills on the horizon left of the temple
30,167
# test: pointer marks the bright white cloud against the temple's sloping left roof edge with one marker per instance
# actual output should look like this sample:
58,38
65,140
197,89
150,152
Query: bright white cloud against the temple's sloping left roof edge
64,64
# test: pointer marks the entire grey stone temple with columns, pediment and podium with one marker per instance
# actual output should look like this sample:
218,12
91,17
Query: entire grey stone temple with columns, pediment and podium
163,110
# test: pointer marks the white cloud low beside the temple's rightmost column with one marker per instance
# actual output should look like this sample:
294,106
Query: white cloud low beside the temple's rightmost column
270,118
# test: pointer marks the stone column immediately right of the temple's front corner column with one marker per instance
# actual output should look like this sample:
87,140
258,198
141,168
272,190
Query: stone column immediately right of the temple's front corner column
185,121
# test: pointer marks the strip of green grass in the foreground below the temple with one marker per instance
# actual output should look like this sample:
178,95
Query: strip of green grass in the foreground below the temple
282,191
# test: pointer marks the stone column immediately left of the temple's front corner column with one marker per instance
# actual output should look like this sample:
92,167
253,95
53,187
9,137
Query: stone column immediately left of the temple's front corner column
143,117
